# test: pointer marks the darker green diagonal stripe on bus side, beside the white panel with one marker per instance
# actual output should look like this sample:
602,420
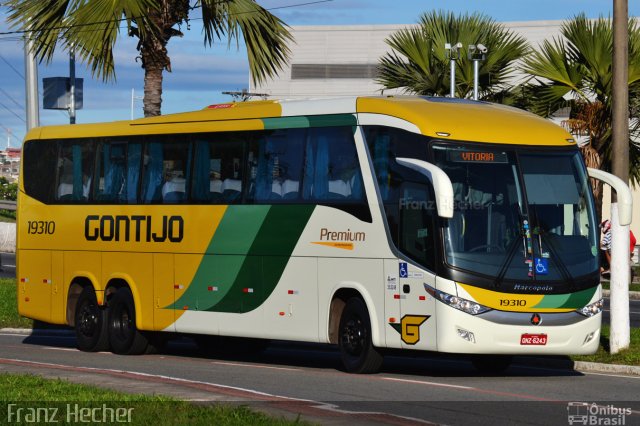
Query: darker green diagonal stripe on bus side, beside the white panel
267,258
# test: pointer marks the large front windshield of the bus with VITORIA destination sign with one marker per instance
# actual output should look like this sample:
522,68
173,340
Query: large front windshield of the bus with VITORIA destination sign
519,214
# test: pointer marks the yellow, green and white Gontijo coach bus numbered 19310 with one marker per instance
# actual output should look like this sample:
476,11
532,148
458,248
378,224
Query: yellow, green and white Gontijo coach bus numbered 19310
371,223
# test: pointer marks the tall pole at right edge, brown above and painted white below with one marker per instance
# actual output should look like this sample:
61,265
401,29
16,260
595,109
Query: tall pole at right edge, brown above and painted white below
620,327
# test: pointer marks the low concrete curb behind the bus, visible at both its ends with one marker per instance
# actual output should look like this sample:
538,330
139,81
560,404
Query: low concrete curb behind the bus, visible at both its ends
554,363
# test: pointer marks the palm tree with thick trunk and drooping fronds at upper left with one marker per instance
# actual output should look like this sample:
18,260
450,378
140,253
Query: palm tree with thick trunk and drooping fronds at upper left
92,28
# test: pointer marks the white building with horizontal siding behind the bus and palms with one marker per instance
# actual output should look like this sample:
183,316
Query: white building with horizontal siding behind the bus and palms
330,61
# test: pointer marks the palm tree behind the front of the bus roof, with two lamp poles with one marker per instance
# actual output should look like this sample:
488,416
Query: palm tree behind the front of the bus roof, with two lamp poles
418,62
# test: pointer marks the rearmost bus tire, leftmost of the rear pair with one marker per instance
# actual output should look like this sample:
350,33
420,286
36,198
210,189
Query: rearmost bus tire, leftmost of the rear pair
90,323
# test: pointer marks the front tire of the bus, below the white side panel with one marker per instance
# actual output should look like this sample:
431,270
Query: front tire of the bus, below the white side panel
354,339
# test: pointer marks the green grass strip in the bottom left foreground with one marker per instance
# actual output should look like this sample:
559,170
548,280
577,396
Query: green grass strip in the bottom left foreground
37,397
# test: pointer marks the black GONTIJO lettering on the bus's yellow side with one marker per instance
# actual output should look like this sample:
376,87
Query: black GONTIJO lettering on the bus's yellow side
134,228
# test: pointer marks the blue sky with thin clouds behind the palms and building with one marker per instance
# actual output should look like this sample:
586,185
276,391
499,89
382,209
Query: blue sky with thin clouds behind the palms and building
200,75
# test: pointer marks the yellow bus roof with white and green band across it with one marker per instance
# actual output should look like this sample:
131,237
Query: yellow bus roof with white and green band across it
444,118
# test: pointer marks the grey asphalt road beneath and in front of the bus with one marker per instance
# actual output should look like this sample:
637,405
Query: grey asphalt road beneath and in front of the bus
306,380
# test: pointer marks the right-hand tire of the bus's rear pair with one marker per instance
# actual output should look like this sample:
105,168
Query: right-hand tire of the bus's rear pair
124,337
